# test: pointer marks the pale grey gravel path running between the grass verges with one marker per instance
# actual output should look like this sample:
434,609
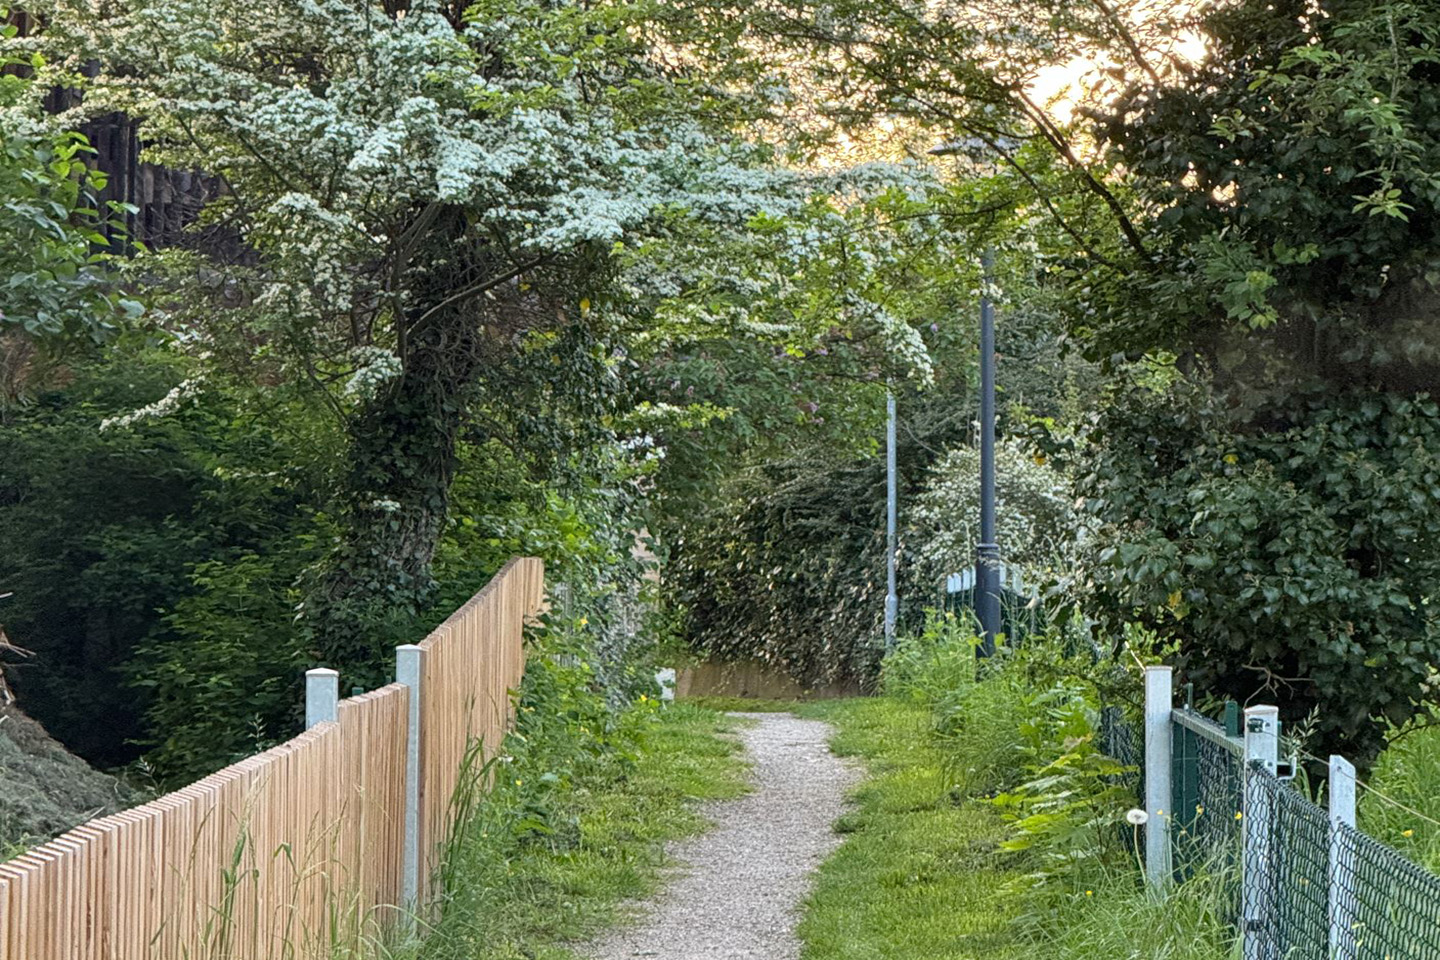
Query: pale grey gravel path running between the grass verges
744,882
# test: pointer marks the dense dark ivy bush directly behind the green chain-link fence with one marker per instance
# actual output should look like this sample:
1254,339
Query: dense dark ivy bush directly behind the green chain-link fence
1291,561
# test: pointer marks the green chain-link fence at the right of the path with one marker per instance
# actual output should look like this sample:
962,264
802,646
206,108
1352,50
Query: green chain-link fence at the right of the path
1305,889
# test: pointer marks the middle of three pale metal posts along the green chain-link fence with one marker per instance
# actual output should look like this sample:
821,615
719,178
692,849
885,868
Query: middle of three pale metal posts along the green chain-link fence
1256,889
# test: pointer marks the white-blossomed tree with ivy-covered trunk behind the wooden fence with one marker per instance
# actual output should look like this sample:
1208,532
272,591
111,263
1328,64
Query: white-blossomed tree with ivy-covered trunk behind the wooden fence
454,218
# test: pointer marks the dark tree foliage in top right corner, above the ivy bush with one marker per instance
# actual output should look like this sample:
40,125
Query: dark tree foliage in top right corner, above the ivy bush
1291,175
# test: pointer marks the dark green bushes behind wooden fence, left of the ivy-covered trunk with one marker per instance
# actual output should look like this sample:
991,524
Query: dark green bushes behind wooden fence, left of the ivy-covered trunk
140,516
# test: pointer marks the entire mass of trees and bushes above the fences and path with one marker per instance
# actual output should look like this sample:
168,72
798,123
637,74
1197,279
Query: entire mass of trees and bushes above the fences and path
565,277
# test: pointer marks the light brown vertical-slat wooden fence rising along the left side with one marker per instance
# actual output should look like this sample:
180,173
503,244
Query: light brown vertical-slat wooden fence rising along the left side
286,853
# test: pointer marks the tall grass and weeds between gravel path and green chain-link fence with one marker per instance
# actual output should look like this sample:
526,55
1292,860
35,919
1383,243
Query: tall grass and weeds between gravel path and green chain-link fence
987,827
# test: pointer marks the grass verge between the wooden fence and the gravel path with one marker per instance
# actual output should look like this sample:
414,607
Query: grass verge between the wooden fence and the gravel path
539,871
